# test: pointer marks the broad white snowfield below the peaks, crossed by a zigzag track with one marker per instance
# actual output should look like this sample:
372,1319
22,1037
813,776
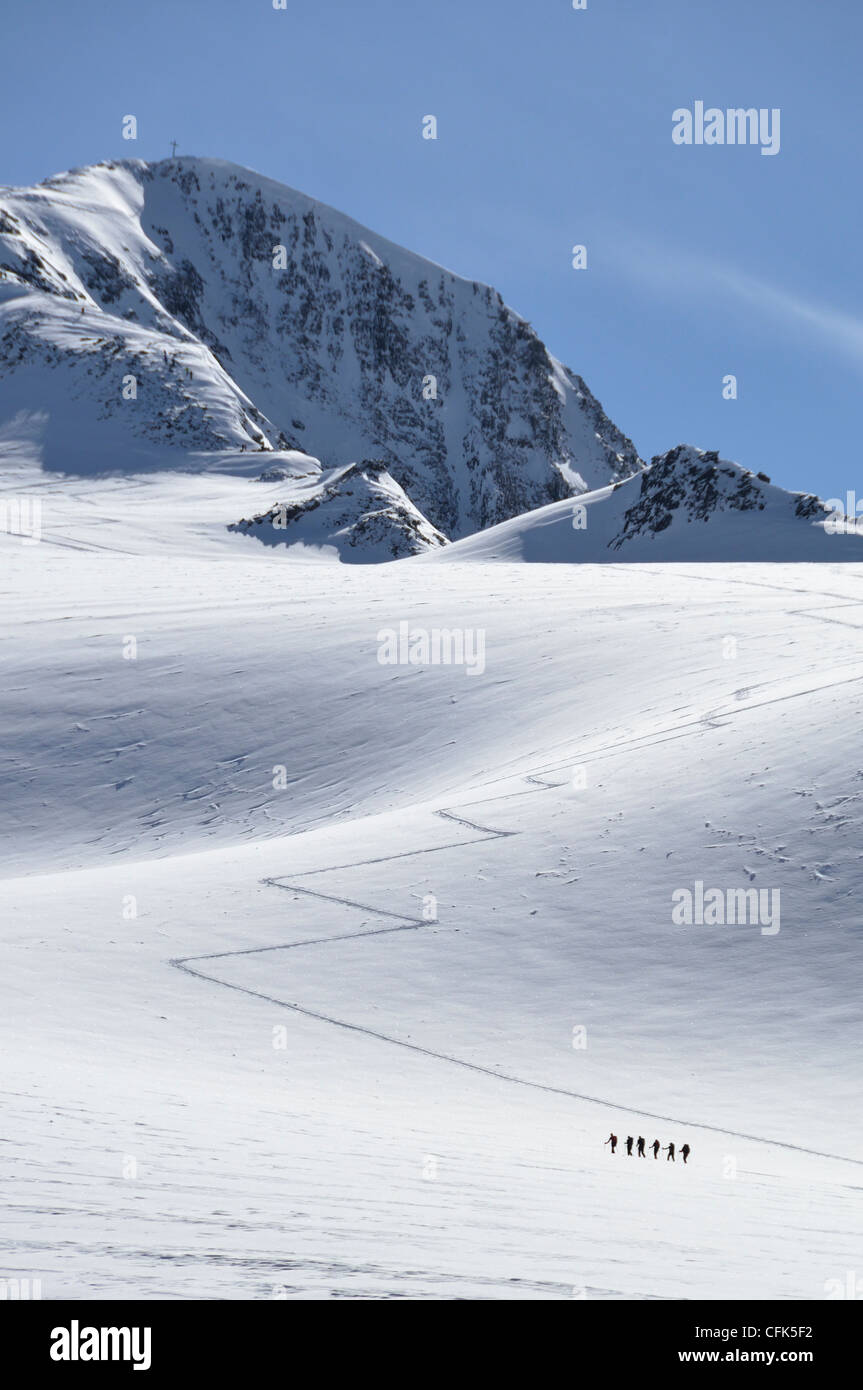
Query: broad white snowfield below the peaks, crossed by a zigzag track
327,978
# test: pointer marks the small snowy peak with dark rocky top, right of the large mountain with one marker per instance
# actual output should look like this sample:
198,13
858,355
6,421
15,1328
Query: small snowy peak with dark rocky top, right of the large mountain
687,505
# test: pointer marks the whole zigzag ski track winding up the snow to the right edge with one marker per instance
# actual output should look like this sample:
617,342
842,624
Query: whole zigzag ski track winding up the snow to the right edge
490,833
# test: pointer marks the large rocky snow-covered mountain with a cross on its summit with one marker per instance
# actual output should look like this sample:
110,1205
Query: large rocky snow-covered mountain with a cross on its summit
155,311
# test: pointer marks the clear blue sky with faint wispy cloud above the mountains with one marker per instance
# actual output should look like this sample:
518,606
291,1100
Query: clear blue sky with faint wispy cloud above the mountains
554,130
